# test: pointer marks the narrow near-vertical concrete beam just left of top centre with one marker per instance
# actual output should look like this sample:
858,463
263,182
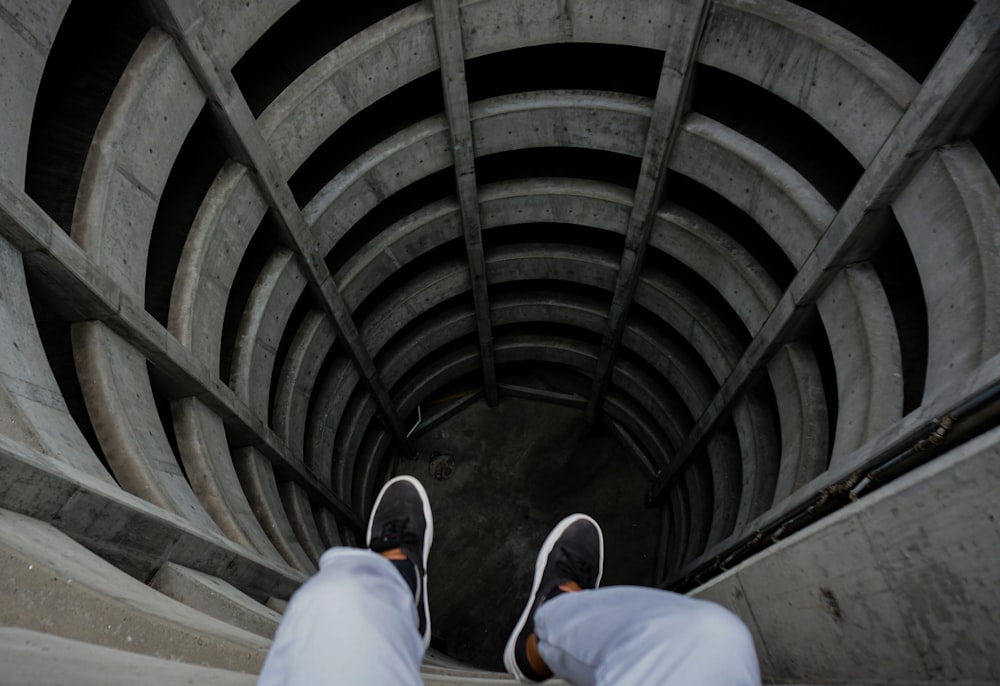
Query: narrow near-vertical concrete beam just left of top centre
448,29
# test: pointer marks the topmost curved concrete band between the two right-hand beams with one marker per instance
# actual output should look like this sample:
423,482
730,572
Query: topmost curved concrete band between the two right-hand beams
848,87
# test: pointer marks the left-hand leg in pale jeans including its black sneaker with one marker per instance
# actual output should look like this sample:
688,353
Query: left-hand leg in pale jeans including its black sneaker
364,617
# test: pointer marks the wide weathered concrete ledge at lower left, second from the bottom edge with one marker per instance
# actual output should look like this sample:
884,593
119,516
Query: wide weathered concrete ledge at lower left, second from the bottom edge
54,584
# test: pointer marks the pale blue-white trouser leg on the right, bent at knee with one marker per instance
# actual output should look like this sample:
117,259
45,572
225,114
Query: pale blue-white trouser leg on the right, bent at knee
626,635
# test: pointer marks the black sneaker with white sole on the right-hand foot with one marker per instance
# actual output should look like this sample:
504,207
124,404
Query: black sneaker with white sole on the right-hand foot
573,551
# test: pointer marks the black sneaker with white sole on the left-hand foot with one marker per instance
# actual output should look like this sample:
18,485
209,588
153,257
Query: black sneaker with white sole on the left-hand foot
401,518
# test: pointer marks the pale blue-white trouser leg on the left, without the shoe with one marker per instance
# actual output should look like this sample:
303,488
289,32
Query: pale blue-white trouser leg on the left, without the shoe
353,622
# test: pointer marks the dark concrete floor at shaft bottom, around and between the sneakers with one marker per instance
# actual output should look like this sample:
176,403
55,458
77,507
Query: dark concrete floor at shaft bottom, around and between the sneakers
518,469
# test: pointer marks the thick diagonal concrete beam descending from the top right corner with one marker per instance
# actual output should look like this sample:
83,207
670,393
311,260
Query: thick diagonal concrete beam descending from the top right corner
959,91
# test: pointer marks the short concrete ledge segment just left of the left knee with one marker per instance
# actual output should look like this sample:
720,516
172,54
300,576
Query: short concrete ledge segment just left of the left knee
216,598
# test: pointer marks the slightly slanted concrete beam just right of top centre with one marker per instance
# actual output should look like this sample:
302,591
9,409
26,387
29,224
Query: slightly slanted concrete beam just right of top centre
671,93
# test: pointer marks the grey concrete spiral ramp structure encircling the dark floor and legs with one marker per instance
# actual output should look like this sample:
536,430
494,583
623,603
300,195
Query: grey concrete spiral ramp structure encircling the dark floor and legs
243,243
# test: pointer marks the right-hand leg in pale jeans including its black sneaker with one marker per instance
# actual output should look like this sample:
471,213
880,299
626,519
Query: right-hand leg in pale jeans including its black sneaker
622,635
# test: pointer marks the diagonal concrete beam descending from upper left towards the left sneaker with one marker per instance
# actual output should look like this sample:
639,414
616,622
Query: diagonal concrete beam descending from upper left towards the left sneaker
247,144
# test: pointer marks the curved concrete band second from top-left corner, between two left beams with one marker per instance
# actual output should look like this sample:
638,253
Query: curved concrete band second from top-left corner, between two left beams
142,130
